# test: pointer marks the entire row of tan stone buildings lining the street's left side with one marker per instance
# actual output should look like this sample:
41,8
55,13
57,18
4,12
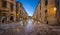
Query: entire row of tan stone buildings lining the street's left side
11,11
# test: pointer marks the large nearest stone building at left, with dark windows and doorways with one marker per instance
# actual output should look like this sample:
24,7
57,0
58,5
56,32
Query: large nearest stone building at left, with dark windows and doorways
7,10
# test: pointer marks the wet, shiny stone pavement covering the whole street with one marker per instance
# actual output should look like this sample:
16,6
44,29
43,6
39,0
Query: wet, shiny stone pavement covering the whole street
28,27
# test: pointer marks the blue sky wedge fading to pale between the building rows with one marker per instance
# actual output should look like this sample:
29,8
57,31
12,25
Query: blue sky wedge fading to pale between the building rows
29,5
